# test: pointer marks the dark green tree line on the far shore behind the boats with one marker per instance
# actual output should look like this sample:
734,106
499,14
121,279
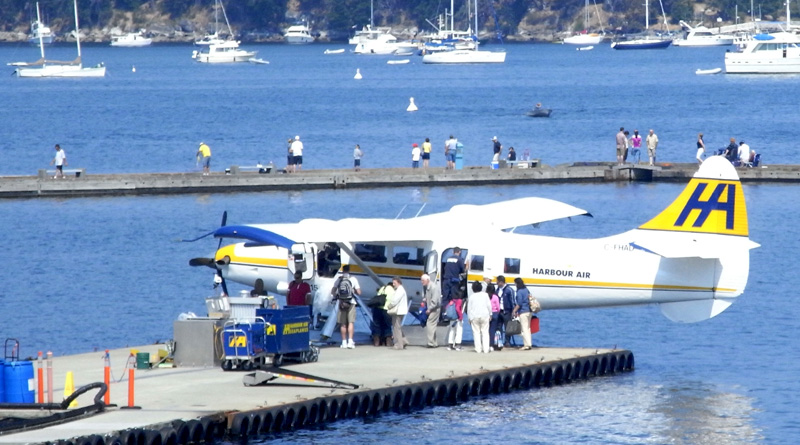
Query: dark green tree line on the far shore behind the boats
340,17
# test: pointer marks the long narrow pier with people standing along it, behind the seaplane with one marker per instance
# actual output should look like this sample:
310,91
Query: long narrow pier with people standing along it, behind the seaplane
249,179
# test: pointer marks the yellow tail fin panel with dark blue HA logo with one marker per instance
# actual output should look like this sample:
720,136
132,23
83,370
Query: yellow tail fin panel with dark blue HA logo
705,206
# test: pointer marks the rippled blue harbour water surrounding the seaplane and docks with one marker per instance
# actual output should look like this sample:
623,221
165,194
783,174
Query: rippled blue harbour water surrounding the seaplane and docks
95,273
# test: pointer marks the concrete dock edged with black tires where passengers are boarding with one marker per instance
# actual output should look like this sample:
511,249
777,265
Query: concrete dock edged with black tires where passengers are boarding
190,405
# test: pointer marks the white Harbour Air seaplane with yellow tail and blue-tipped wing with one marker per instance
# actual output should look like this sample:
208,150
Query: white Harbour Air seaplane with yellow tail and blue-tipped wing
692,259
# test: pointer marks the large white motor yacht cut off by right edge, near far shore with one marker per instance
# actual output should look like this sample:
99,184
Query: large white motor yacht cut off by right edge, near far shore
776,53
